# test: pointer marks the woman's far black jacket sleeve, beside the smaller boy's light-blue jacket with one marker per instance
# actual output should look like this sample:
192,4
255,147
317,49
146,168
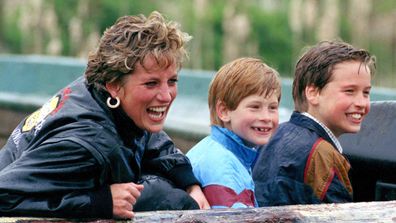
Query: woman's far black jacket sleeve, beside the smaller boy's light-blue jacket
163,158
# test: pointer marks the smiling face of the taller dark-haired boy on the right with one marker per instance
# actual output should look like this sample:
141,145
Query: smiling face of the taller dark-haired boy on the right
343,103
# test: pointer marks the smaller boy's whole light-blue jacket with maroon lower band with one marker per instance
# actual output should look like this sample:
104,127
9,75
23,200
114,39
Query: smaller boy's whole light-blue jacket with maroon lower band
222,164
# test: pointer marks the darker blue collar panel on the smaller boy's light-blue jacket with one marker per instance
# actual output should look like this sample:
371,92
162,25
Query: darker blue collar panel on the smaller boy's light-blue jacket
234,143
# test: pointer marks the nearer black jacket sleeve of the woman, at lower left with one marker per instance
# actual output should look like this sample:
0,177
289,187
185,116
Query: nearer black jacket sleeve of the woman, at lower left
55,179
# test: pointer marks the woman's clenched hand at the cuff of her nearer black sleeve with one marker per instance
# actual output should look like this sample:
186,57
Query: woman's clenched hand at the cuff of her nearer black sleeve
124,197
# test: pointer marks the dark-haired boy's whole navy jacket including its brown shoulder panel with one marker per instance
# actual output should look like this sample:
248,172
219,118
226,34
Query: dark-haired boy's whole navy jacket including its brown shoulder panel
301,165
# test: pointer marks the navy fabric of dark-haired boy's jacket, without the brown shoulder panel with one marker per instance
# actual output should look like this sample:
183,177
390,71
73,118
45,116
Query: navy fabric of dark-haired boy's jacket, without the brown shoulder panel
279,169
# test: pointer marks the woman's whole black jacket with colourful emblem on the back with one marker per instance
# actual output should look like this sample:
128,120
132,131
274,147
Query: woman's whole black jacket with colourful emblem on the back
61,160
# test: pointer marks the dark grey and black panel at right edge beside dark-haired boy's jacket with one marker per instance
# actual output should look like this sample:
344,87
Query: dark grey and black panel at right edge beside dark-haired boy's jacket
372,153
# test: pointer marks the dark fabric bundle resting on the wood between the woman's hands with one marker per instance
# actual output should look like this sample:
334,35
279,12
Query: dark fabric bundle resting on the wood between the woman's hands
160,194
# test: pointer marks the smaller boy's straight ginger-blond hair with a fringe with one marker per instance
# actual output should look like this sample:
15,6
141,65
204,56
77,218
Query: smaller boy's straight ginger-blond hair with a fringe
238,79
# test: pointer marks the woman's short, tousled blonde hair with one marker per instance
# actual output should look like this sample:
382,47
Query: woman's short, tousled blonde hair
129,41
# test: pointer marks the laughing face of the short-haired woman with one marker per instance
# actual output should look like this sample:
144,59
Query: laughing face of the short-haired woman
146,95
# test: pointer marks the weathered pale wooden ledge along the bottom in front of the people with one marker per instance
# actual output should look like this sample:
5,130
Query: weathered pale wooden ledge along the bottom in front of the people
349,212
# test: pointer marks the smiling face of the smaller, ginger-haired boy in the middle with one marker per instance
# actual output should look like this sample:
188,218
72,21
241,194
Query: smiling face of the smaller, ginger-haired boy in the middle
254,120
